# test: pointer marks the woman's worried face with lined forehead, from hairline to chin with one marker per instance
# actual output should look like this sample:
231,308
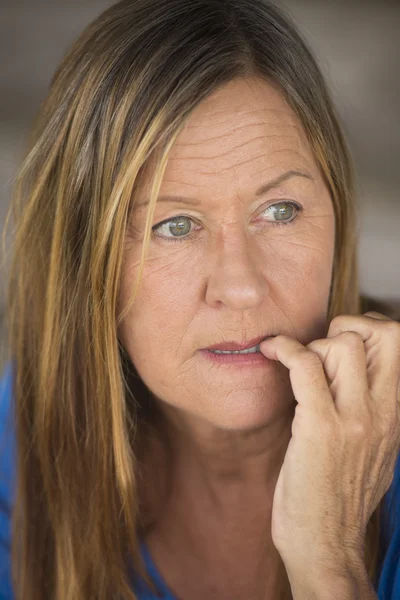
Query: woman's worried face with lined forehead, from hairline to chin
225,269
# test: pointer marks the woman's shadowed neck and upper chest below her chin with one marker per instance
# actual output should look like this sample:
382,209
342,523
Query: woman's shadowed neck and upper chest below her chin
221,486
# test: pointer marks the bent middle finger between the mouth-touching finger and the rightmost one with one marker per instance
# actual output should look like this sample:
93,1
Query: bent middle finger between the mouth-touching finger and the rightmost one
345,365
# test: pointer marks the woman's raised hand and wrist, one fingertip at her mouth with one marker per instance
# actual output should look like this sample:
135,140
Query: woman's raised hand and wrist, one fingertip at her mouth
345,439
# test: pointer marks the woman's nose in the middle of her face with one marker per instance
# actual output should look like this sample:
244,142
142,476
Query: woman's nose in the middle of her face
237,271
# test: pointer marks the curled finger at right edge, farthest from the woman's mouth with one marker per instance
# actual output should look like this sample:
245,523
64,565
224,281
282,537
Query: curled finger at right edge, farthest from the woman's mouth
381,338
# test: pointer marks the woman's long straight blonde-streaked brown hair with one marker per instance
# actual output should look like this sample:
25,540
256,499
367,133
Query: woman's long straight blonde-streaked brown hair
119,100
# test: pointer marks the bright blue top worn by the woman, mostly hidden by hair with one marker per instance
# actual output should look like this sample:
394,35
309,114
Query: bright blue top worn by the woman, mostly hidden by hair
387,585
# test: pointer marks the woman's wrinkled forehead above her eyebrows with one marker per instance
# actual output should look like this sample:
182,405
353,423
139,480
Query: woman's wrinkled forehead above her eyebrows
242,133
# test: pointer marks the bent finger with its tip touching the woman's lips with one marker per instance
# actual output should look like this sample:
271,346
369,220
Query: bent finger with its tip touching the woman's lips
309,384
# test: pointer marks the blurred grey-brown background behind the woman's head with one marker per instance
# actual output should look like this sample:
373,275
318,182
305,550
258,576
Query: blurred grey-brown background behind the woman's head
358,48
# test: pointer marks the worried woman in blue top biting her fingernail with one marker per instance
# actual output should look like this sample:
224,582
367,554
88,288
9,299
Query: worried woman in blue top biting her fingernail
188,194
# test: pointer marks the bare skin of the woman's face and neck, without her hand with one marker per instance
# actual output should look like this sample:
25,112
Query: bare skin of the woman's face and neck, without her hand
240,276
